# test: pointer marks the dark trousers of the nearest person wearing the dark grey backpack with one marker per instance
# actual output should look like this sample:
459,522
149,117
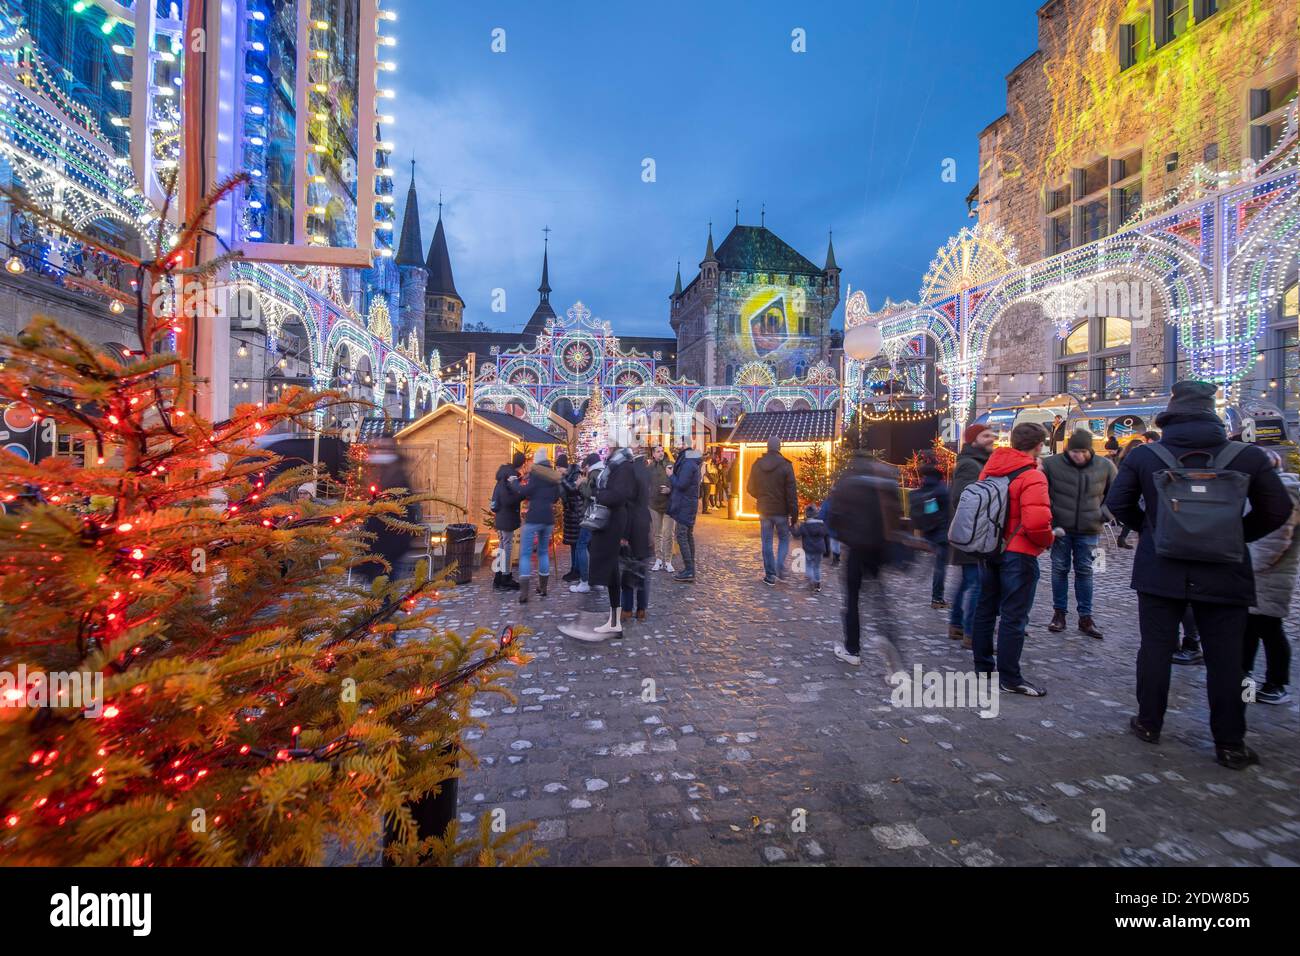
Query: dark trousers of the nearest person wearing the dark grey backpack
1223,635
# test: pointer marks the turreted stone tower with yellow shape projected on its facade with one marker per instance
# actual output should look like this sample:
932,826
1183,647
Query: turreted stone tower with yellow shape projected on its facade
755,301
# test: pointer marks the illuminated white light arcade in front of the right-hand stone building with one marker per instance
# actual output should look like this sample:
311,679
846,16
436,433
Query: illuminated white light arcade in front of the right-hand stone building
1216,265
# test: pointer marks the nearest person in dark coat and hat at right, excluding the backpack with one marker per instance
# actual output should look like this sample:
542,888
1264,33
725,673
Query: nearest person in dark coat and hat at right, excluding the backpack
1219,594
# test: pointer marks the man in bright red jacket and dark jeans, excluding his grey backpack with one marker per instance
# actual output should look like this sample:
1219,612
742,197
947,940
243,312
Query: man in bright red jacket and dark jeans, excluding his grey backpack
1008,582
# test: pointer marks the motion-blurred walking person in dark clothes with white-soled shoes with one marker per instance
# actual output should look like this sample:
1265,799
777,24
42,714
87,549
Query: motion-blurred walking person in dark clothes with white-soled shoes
866,514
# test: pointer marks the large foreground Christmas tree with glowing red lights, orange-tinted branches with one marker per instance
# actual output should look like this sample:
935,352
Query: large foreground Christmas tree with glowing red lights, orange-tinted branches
188,677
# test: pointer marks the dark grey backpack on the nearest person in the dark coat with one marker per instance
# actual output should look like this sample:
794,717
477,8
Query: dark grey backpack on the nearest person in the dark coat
1199,511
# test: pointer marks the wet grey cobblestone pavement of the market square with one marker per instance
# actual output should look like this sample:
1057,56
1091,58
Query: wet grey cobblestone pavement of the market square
760,747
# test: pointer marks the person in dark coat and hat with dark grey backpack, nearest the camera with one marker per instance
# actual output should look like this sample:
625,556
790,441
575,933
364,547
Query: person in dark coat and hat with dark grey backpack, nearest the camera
1188,494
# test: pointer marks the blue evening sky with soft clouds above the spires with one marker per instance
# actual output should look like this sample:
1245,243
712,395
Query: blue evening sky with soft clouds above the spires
850,136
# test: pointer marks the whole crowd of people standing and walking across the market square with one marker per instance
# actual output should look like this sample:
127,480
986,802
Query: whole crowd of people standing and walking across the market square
1215,566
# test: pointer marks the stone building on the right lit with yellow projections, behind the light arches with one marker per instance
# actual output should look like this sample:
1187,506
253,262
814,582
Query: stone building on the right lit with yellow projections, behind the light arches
1128,102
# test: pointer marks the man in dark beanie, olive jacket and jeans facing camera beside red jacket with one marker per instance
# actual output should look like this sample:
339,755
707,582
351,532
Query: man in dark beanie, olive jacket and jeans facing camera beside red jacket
1078,482
